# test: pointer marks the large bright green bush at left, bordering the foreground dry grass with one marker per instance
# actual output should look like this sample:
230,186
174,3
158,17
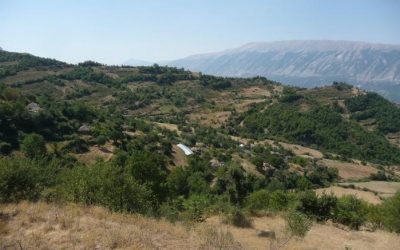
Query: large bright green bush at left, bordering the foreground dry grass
106,185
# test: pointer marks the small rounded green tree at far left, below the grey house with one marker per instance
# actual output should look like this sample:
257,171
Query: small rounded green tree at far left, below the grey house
33,146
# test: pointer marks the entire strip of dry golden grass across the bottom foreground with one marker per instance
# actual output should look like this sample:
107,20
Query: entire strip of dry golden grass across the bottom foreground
48,226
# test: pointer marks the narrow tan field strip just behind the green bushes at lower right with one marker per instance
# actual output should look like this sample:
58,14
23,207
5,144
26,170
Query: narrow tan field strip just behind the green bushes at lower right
341,191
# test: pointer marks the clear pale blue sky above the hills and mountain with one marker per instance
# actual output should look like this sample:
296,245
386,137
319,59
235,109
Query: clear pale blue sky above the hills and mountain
155,30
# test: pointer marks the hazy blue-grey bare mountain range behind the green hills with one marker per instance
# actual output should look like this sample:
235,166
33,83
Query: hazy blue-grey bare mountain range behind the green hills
307,63
